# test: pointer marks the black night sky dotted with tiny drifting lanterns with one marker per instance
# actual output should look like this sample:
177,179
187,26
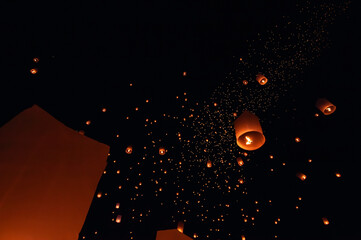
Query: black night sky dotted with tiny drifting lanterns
170,74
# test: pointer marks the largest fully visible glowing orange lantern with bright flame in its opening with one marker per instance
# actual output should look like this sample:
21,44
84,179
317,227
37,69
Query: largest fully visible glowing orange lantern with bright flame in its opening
249,132
